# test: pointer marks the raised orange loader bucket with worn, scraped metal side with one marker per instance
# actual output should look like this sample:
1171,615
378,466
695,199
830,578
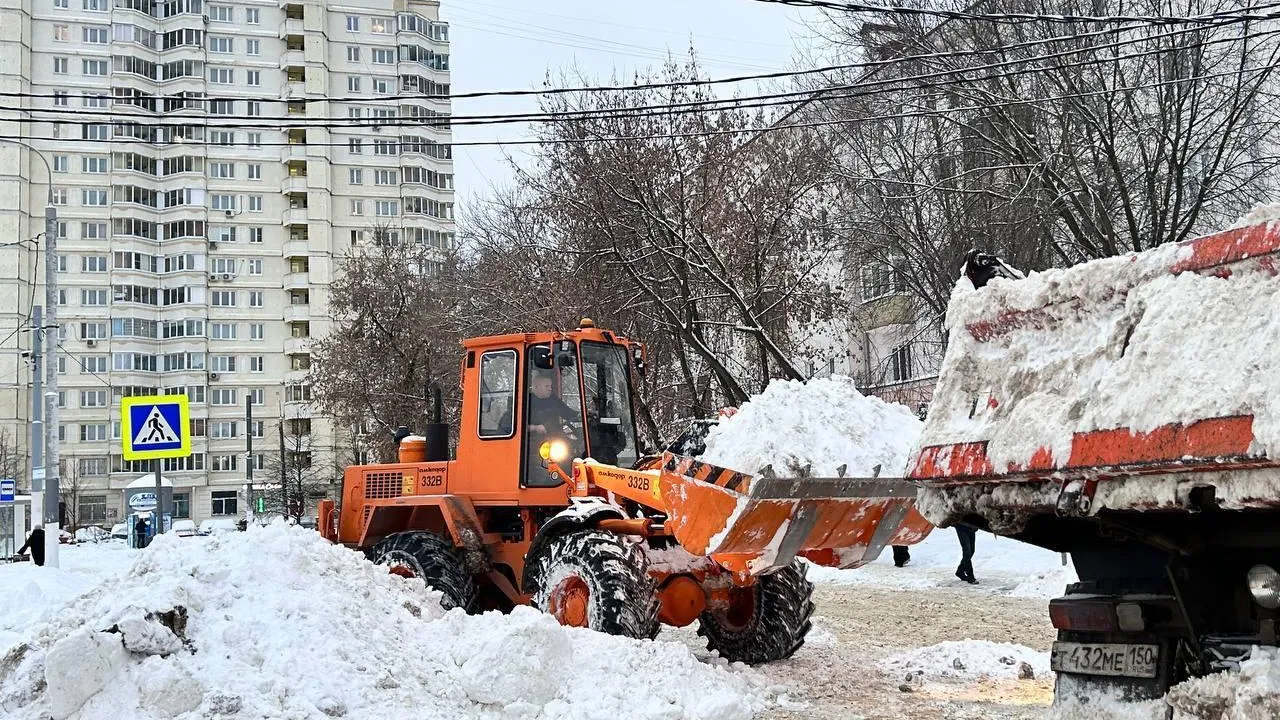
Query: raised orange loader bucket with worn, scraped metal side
757,525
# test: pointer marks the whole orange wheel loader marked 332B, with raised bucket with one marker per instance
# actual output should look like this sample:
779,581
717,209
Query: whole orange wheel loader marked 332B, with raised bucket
550,502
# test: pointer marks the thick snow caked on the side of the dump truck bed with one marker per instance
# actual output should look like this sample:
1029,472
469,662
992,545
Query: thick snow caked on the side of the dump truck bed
1119,343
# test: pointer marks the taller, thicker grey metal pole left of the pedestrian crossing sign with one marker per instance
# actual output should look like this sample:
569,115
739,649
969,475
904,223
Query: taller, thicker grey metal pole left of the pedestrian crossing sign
53,518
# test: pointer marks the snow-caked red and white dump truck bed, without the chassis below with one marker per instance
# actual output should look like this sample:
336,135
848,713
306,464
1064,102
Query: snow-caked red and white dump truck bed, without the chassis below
1141,382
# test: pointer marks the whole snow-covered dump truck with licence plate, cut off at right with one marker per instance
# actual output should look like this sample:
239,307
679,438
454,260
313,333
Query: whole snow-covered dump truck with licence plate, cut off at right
1127,412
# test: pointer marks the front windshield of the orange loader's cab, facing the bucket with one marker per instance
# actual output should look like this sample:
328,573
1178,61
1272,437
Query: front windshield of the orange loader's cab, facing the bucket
611,427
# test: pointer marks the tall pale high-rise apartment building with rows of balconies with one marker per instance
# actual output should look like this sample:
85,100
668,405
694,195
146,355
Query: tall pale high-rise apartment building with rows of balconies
212,165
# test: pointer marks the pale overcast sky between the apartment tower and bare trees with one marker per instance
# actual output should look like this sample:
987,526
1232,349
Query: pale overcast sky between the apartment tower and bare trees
511,45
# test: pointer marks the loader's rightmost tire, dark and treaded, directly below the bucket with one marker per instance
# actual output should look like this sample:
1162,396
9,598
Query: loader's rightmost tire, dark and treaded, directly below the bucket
765,622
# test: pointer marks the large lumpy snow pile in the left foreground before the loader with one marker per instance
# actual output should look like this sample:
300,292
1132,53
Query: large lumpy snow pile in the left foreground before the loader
277,623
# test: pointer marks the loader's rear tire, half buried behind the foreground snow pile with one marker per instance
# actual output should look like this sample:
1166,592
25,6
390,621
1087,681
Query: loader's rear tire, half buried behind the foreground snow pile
433,559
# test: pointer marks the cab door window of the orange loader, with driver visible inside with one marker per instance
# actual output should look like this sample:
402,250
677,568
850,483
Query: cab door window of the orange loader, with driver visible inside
554,408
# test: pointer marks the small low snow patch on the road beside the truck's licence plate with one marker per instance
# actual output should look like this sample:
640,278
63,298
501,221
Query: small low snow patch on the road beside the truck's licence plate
967,660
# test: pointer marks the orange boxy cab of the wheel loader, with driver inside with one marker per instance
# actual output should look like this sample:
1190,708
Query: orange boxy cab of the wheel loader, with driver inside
572,390
